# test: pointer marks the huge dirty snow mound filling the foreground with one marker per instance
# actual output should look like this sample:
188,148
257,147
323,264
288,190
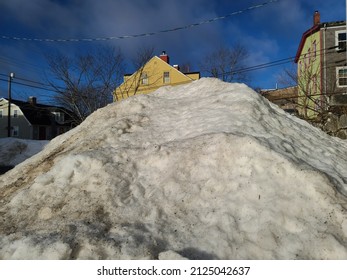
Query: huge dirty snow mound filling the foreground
208,170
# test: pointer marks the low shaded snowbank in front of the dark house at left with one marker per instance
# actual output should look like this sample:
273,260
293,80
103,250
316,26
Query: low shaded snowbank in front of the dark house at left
13,151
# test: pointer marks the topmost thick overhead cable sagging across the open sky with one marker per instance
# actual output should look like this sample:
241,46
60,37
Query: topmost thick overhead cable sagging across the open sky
143,34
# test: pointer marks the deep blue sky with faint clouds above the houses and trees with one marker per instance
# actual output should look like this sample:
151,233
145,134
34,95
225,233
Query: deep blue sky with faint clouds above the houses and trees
269,33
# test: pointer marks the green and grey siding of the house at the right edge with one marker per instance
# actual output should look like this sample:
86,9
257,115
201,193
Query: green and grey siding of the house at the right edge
327,94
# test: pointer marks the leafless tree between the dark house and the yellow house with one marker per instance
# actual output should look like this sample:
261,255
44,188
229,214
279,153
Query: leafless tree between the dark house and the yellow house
84,83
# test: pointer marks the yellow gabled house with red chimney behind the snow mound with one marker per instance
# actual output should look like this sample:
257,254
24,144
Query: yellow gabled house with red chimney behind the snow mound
157,72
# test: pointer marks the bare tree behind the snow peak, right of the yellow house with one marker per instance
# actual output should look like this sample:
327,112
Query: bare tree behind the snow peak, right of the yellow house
226,63
